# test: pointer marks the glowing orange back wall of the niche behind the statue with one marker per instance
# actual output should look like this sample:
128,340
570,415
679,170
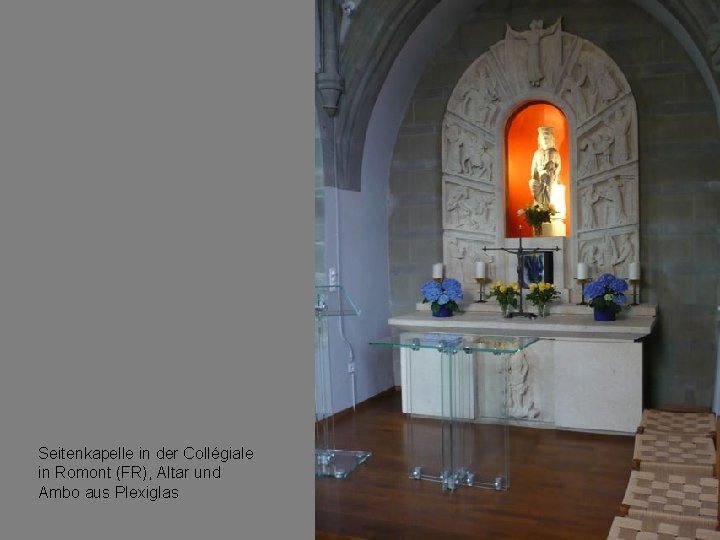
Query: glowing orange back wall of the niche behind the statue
520,144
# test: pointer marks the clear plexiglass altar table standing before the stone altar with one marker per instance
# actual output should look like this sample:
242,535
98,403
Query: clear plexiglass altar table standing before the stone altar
456,389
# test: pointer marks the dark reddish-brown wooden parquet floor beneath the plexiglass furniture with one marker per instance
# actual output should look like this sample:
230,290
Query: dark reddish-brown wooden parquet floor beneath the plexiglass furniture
563,485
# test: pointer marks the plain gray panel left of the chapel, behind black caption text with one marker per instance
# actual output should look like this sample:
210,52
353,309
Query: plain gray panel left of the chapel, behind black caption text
156,260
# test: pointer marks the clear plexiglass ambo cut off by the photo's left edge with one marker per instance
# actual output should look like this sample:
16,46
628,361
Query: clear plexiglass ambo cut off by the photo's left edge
331,302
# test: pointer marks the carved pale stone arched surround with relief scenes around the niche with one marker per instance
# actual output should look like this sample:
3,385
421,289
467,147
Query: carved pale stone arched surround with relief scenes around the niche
541,65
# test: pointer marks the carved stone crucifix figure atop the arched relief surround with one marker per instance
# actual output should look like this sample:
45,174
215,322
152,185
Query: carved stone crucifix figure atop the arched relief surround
530,44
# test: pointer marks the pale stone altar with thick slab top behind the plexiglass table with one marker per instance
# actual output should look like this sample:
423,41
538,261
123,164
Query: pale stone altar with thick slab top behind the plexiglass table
582,374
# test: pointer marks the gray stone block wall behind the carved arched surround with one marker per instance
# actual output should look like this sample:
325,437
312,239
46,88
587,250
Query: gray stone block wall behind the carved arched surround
679,180
